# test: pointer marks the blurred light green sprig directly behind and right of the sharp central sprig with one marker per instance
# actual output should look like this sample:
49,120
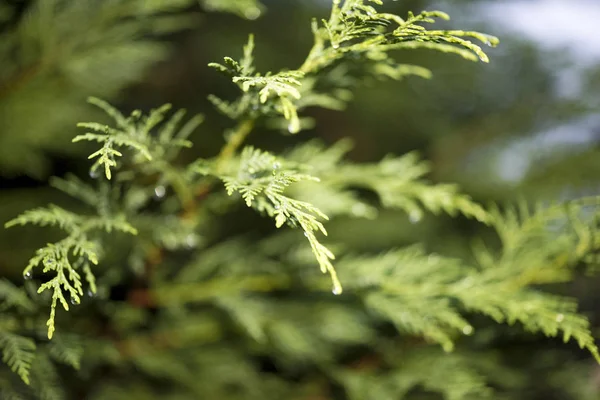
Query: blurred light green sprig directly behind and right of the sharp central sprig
399,183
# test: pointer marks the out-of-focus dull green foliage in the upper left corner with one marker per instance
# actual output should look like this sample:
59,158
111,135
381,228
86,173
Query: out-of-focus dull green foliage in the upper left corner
51,52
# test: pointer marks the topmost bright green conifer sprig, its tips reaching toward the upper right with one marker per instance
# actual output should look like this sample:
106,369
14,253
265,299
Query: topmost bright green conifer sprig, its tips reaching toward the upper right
354,31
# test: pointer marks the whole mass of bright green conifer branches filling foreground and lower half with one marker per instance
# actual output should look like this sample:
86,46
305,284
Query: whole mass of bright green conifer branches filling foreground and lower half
181,305
